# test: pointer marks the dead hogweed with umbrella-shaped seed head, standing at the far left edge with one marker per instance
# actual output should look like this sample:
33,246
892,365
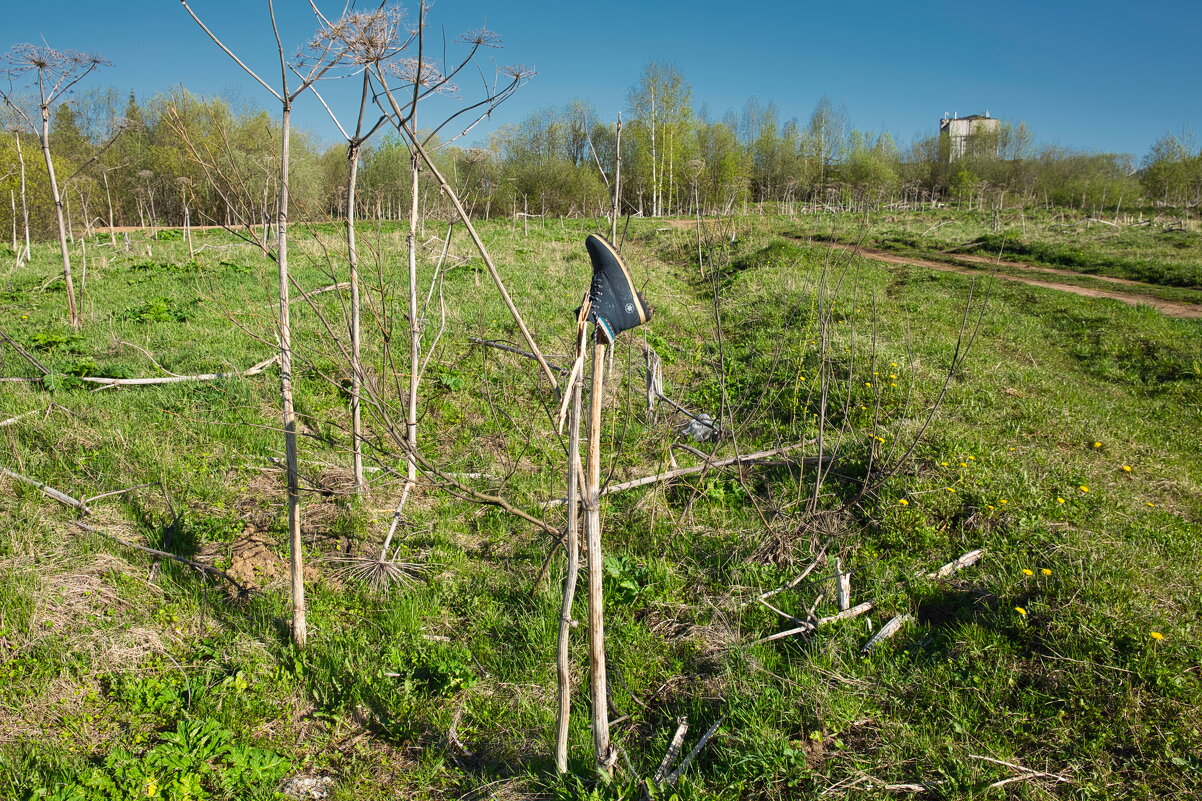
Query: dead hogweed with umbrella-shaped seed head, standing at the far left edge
57,74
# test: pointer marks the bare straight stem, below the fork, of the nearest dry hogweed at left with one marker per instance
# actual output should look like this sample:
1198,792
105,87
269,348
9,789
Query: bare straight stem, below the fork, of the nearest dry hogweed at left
296,562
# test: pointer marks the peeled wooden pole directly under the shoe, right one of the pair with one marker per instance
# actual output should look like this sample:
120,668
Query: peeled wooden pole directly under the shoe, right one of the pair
593,544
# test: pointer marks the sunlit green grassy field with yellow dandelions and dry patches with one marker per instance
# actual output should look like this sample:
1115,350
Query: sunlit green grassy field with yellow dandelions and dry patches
1066,446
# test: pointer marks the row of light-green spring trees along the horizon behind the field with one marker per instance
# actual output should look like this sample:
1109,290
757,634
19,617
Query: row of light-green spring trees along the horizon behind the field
215,161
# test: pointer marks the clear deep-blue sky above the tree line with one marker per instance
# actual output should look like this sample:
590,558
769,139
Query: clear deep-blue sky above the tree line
1105,75
